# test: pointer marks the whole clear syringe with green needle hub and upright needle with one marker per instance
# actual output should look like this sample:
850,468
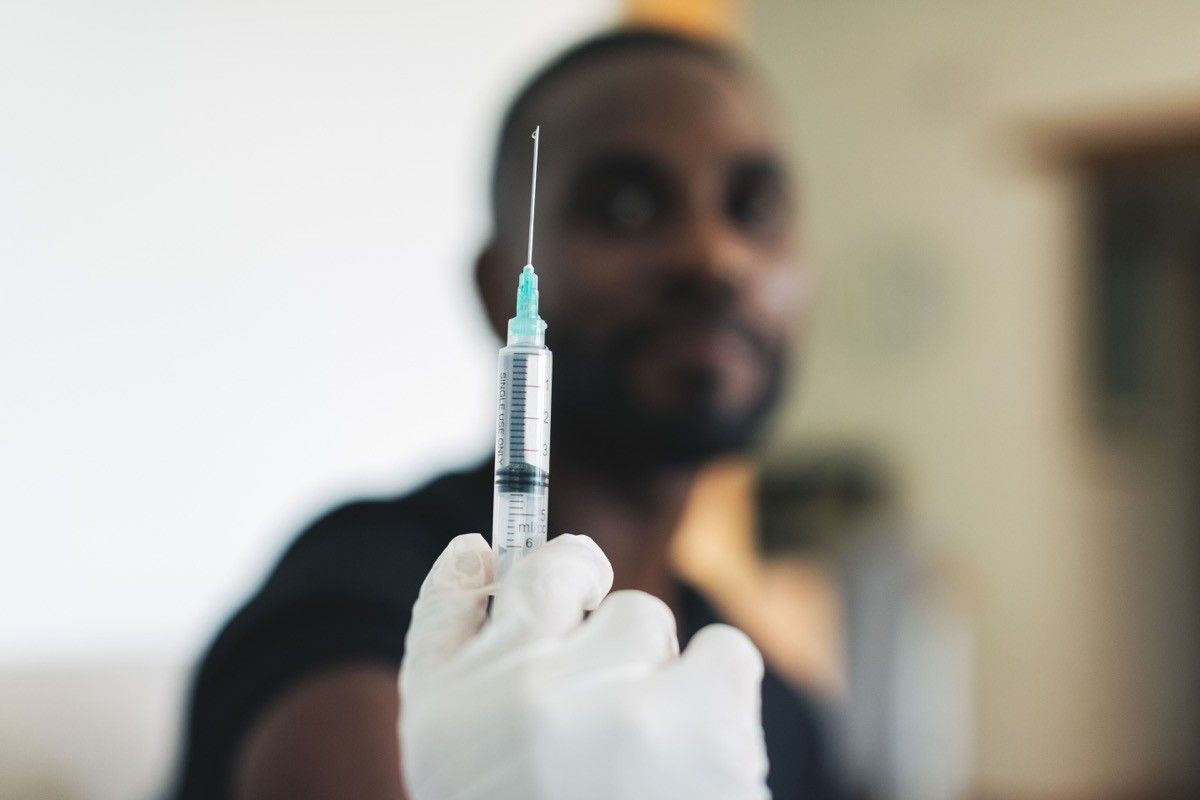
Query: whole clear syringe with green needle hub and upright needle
523,422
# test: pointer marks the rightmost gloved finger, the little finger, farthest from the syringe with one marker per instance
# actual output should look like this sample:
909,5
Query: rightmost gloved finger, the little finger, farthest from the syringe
723,666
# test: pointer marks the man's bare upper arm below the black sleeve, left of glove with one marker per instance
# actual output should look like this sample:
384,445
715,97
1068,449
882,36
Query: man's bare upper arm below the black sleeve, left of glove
331,737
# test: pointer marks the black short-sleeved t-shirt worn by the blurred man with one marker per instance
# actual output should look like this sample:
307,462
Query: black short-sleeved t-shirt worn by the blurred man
344,593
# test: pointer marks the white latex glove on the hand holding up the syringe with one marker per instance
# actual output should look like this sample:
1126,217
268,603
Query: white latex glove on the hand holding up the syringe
538,705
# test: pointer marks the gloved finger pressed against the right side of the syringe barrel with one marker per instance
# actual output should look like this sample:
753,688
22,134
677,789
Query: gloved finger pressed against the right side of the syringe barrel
547,593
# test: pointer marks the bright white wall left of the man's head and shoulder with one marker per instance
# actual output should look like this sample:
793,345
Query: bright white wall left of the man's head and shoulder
235,286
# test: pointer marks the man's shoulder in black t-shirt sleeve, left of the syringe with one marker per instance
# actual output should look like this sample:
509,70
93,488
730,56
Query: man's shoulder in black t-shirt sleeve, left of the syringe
341,594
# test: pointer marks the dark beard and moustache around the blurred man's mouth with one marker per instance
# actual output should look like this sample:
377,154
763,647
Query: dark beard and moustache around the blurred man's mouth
602,414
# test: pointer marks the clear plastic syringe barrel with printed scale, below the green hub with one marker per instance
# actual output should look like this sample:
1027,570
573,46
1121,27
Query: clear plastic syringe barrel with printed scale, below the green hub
523,452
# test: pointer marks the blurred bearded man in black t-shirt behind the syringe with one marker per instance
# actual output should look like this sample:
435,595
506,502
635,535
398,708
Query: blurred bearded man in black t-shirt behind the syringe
669,282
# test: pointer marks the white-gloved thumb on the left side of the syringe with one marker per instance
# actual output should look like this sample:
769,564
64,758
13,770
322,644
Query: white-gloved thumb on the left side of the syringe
452,606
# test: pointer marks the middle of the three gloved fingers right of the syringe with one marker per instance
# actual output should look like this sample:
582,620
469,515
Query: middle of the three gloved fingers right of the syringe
631,629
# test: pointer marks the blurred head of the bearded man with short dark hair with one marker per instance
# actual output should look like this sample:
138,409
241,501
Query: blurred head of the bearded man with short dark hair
665,243
